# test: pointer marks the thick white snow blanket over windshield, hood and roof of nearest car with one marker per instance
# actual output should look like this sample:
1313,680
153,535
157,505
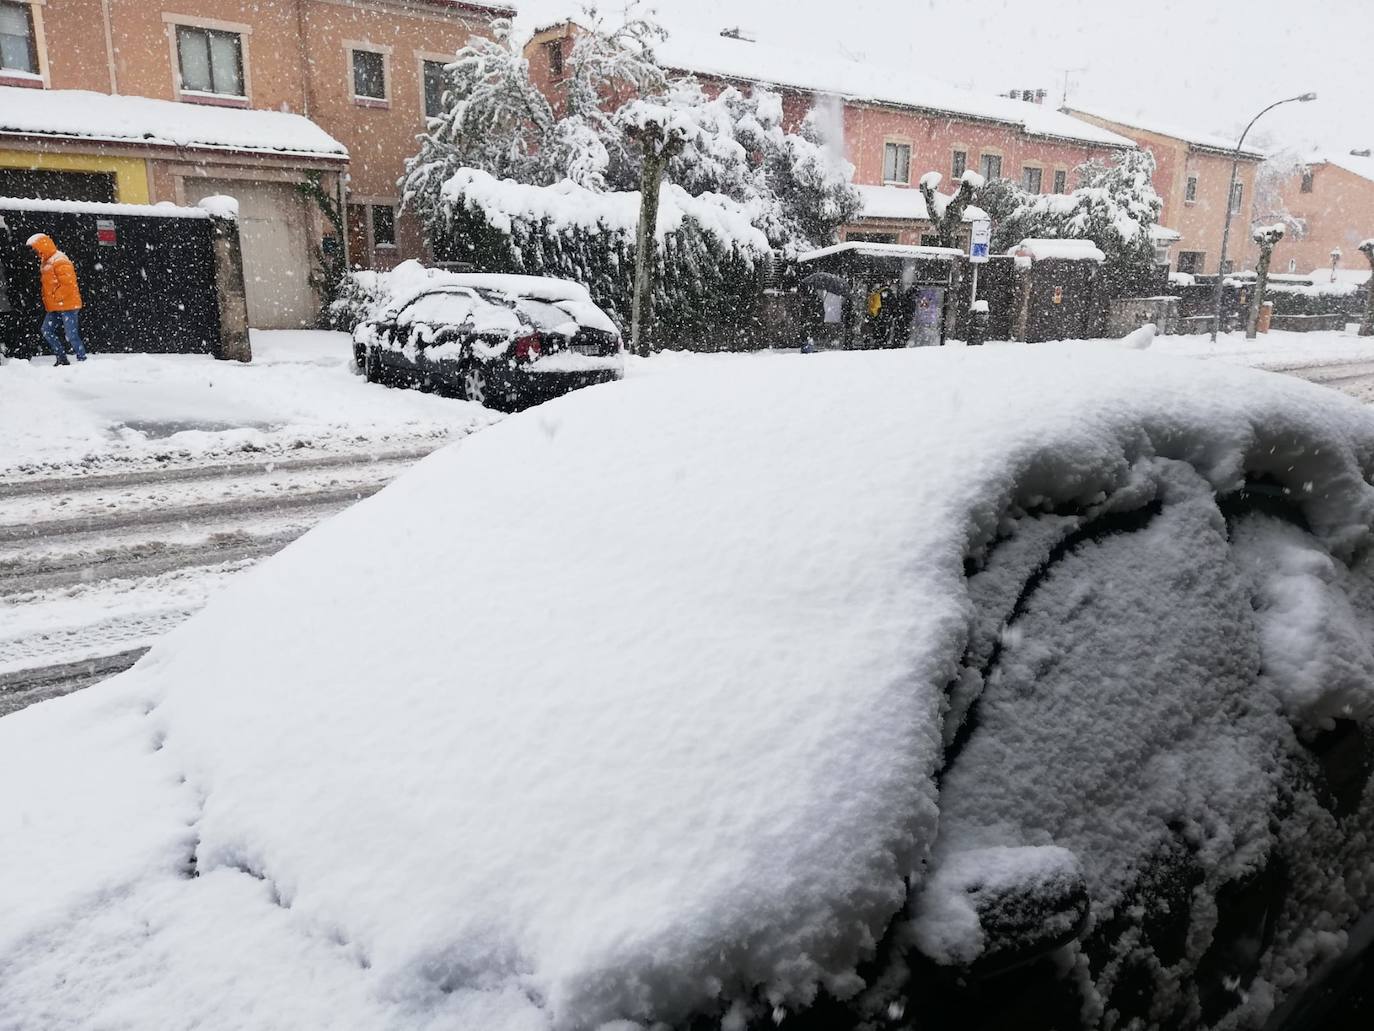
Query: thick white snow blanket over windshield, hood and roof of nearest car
627,707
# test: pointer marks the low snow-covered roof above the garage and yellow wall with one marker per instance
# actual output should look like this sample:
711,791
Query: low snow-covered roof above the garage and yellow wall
139,120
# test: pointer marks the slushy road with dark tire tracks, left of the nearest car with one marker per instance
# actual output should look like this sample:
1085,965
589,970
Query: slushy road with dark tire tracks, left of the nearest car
93,570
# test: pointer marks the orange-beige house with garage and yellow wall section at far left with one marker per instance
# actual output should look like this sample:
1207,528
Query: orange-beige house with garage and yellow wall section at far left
146,101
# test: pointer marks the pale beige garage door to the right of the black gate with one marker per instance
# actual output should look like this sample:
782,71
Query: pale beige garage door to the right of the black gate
277,250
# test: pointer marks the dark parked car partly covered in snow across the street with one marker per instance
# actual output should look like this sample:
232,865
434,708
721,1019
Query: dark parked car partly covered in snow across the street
498,340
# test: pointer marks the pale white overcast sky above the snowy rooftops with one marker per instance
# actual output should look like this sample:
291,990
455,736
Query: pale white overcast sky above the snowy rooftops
1210,65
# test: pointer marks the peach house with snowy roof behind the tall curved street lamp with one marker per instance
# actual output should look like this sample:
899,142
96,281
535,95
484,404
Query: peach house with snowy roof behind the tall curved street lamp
1193,178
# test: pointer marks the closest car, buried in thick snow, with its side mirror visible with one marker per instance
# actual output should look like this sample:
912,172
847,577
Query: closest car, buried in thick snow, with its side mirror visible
1009,688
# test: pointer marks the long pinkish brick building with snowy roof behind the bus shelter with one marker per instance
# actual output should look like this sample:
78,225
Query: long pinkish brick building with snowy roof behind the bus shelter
892,124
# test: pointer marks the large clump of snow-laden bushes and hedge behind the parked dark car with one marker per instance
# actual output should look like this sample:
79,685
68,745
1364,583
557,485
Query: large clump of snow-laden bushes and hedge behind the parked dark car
791,189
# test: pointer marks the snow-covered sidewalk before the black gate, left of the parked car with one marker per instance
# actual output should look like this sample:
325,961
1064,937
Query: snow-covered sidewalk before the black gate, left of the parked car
124,412
